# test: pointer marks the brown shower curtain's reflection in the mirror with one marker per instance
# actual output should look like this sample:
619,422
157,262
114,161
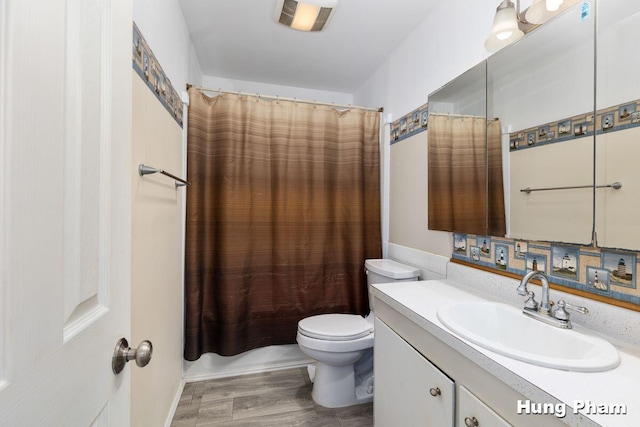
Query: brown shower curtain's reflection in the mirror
465,175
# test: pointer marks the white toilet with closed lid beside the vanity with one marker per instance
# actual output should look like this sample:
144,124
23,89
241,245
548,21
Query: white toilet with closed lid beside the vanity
342,344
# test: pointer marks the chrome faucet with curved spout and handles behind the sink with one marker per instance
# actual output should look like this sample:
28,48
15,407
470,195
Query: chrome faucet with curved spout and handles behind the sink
559,317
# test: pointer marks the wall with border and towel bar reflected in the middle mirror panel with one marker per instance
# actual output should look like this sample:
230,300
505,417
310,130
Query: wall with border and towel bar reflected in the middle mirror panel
542,89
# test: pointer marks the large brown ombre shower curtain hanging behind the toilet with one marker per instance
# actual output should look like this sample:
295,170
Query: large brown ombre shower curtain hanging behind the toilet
282,211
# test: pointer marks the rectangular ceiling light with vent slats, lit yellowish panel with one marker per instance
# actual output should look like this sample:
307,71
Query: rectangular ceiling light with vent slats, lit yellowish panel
304,15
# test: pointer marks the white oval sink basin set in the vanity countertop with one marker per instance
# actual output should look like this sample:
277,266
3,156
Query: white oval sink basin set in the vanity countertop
506,330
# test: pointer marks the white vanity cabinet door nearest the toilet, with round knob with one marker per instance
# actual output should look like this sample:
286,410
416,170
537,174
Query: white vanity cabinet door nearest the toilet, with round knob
409,390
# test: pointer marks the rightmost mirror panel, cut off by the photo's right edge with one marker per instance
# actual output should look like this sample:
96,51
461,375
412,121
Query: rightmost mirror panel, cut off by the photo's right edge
618,125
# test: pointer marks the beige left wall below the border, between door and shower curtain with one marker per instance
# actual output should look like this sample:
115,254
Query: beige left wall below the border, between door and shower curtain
156,241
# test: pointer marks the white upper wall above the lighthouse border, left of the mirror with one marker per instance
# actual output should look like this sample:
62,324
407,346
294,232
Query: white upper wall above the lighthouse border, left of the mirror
432,55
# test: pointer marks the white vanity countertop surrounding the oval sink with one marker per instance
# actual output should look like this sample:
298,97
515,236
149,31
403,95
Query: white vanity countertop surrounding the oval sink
420,301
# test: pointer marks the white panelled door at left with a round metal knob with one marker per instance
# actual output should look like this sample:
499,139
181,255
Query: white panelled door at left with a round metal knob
65,131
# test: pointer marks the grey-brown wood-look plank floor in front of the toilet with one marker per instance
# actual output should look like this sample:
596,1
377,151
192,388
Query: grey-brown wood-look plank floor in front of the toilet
278,398
